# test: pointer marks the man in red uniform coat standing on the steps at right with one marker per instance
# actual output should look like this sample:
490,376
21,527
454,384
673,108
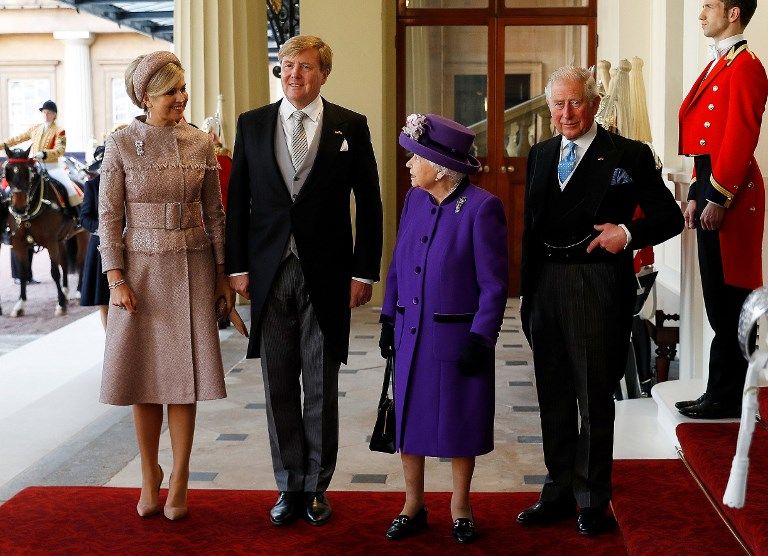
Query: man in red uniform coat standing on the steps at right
720,126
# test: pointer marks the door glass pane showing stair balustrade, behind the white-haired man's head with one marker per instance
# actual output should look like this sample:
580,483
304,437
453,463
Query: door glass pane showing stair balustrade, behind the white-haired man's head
531,55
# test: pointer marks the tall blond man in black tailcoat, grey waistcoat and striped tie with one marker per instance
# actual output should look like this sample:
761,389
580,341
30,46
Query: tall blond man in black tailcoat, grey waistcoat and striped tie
290,250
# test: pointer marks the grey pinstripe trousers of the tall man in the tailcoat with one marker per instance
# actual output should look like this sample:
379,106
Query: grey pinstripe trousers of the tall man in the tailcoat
303,439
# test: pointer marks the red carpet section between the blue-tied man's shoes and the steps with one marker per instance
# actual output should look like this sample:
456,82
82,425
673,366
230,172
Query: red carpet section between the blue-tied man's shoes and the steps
661,510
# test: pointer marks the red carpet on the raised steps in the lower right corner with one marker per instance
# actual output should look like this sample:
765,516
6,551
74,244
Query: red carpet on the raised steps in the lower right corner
709,449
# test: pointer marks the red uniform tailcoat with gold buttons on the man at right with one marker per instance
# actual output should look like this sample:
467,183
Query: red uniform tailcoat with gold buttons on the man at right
721,117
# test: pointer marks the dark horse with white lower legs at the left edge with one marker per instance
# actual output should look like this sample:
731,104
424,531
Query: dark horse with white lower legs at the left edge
36,218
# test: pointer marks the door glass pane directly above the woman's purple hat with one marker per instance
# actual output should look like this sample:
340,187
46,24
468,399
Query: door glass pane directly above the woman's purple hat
447,73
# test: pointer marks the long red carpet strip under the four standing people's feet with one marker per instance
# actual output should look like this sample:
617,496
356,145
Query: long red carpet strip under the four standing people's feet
96,520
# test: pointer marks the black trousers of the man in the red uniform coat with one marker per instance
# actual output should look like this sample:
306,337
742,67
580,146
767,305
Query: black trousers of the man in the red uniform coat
727,366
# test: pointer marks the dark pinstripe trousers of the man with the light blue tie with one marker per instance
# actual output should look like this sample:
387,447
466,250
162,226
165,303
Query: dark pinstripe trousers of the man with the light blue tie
580,340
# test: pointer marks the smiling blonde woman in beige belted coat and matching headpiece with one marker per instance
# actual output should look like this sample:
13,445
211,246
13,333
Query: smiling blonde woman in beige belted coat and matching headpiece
165,273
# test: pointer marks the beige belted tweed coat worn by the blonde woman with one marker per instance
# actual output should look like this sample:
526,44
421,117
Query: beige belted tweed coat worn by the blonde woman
163,181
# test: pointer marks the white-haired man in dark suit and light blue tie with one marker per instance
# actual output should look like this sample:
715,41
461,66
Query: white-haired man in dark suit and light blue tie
578,289
